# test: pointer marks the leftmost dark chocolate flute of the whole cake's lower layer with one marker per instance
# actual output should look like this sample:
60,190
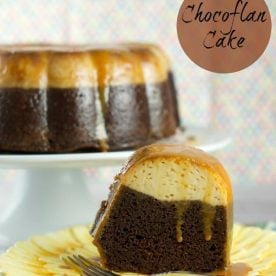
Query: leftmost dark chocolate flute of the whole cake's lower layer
23,120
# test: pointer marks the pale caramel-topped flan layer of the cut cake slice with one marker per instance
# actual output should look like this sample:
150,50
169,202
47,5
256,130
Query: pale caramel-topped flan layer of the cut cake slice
181,173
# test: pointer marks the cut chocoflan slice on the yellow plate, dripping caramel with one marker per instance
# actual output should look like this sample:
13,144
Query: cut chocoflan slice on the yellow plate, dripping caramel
169,209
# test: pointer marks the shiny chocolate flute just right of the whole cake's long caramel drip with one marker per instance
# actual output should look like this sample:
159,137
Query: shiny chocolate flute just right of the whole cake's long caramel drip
127,117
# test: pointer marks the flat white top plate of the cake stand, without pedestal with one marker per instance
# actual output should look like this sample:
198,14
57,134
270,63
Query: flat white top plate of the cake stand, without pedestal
207,139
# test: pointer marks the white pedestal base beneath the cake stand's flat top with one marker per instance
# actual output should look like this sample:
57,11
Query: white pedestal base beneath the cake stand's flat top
44,200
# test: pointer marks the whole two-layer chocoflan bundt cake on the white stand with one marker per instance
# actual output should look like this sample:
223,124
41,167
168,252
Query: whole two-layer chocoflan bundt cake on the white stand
63,99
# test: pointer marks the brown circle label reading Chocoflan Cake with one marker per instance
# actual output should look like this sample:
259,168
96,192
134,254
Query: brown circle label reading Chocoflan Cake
224,36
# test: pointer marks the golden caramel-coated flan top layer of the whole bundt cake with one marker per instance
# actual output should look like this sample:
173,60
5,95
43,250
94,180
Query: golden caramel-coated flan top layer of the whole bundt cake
58,67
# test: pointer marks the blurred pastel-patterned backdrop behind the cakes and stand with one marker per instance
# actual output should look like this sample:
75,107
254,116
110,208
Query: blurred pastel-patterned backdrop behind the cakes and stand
241,104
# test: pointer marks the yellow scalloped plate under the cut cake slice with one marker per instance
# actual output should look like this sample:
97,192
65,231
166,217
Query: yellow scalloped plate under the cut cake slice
43,255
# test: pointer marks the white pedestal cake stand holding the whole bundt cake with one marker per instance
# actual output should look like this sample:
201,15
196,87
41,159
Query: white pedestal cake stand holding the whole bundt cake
50,191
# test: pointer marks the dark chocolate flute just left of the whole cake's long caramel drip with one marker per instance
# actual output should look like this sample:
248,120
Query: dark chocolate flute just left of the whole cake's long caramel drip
72,119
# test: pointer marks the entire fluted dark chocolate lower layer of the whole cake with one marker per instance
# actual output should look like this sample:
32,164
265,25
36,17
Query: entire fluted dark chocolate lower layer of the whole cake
85,118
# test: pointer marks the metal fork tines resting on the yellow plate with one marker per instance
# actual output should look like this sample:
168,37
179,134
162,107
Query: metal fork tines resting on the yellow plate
87,267
